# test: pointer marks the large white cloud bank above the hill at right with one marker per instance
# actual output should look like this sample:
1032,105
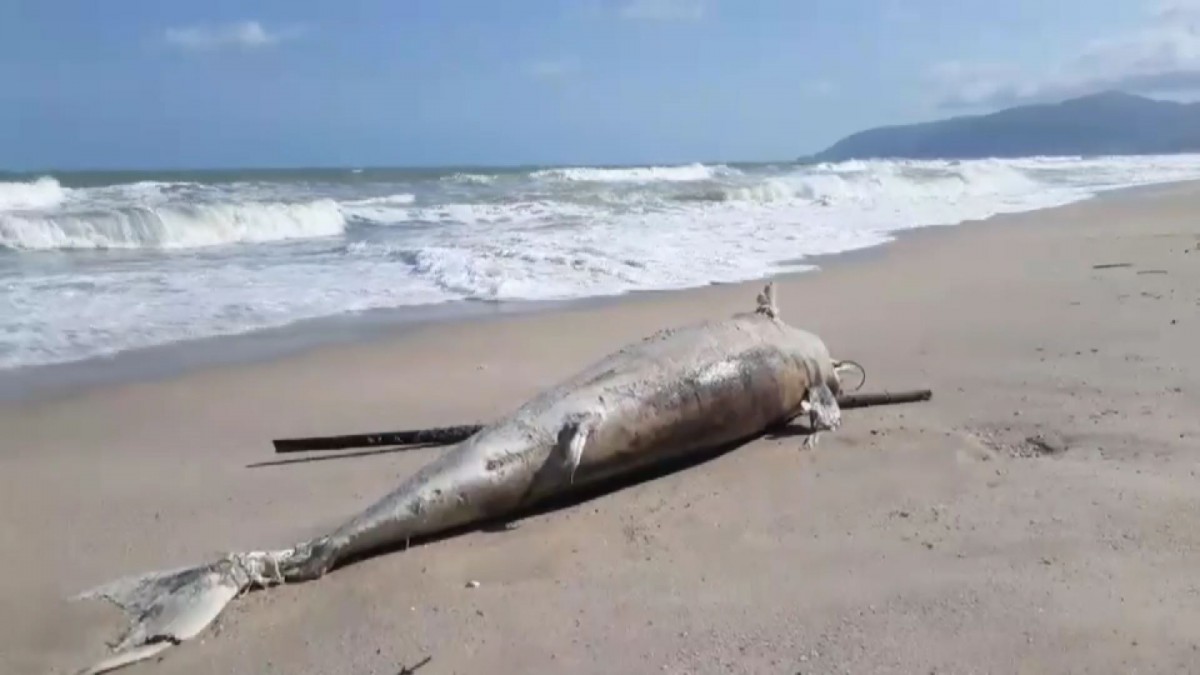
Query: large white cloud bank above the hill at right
1161,57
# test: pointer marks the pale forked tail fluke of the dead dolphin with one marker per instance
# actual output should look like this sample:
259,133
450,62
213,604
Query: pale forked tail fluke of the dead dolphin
167,608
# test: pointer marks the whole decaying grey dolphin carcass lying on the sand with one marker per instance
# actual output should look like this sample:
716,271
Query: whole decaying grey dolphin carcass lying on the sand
676,395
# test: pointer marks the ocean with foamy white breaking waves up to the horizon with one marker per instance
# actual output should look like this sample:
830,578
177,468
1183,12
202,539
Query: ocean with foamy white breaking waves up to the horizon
98,264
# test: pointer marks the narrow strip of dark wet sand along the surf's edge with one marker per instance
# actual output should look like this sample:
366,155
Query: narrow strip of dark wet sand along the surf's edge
37,384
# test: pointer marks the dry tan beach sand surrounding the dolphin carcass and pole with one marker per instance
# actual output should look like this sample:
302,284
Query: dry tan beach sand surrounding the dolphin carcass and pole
925,539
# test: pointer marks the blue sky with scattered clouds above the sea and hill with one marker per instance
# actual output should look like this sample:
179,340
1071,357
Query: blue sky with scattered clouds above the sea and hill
285,83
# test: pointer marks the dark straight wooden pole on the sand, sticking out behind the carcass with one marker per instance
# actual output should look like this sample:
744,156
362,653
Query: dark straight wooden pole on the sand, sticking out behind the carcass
451,435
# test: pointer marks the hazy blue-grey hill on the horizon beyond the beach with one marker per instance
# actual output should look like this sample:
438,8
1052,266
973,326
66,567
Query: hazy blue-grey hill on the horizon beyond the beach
1102,124
